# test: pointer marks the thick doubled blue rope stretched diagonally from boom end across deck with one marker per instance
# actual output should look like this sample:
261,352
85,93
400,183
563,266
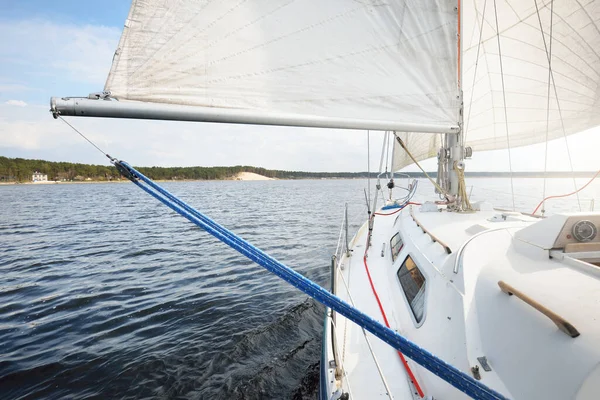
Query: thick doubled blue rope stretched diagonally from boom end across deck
447,372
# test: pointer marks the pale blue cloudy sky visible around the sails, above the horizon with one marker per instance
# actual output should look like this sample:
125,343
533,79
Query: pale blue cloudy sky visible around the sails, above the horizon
66,48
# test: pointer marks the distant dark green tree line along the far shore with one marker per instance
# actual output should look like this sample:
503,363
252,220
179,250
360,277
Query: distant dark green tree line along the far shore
20,170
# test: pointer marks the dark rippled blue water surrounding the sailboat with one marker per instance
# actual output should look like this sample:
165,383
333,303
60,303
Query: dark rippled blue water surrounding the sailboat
104,293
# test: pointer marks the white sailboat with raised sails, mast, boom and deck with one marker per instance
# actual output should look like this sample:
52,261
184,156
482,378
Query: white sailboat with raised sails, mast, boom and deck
509,301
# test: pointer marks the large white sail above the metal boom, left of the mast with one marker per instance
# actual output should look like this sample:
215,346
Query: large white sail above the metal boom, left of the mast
367,59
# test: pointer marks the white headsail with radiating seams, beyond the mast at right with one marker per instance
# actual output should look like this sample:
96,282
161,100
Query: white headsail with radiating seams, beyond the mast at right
535,77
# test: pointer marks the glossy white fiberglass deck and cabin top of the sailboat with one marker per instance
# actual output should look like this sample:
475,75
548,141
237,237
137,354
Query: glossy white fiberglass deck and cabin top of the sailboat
465,314
